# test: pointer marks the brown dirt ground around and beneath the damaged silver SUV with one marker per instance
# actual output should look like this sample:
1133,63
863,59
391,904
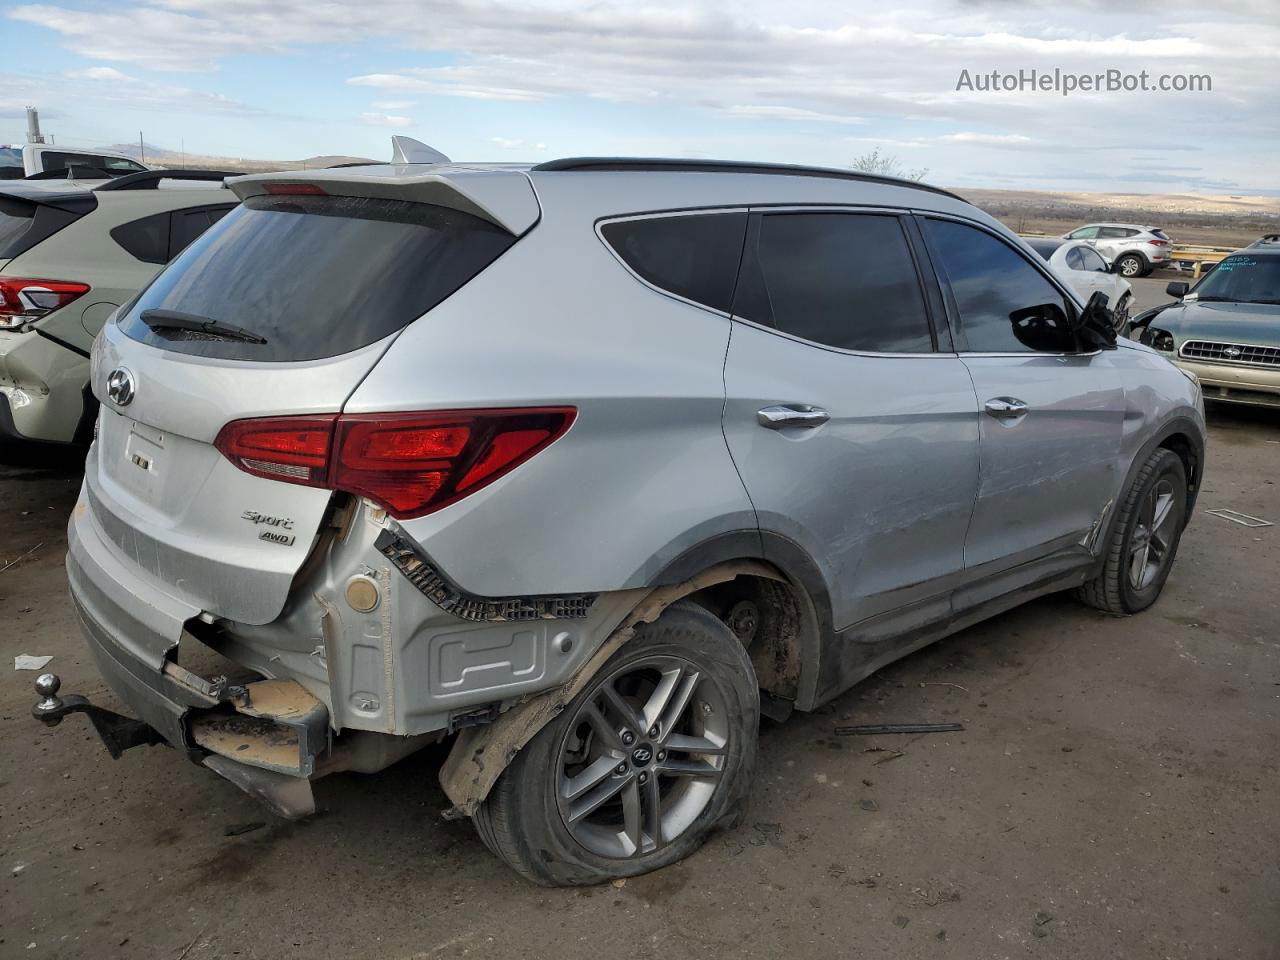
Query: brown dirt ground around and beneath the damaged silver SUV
1113,796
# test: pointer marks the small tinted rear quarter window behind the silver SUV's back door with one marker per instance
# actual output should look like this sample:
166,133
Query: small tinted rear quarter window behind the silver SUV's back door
693,257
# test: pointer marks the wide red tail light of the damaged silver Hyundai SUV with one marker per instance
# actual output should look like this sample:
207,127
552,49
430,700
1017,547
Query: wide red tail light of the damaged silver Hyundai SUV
410,464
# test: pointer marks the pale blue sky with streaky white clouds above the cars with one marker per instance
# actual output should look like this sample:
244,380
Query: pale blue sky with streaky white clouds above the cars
802,81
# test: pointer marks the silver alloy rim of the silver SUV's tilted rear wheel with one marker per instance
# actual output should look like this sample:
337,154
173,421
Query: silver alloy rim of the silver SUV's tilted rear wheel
643,757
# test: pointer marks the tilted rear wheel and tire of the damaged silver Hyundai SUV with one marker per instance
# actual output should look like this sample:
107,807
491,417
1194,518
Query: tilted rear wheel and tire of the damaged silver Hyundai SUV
577,771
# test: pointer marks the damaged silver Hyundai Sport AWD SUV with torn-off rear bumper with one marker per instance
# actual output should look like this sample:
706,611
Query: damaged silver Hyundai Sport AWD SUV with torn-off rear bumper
586,467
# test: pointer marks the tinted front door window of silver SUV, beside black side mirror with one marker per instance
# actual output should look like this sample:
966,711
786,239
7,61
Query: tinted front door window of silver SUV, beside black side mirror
1005,305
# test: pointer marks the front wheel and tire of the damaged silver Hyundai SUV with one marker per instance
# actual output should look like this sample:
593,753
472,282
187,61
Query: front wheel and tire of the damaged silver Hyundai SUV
1151,518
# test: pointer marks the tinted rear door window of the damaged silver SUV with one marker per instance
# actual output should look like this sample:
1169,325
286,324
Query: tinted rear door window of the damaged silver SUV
842,280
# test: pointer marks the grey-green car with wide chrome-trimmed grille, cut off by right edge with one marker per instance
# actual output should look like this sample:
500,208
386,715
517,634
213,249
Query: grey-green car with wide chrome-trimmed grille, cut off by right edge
1227,328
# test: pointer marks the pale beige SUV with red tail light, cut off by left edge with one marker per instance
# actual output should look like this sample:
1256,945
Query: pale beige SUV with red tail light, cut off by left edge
70,255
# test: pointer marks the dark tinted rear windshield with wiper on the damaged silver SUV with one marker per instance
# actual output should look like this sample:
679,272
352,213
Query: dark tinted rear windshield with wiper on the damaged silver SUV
316,277
